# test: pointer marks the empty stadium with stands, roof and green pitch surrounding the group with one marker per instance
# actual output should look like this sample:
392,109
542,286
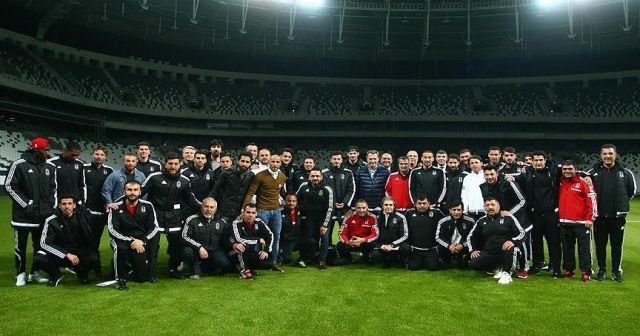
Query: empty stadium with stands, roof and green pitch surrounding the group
319,76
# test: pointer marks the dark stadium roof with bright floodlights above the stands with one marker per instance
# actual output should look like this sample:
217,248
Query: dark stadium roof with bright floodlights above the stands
408,29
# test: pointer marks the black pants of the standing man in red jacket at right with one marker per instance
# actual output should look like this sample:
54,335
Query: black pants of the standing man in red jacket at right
571,234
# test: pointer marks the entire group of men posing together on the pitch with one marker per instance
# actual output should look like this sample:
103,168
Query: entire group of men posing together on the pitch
432,211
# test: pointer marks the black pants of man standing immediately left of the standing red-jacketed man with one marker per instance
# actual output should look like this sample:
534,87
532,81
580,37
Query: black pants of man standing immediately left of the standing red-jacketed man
545,226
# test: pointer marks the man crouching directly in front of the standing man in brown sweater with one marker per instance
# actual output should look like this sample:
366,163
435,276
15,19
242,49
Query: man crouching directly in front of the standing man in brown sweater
252,241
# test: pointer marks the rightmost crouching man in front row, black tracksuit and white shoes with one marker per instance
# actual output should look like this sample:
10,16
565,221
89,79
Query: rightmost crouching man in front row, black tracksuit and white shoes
492,242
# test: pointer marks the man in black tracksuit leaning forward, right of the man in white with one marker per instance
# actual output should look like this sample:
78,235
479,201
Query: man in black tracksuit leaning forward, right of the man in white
511,200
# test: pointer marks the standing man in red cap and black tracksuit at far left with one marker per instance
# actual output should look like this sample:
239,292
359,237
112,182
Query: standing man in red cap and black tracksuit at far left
31,184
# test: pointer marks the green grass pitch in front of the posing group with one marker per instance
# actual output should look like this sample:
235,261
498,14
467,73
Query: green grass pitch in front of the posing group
338,301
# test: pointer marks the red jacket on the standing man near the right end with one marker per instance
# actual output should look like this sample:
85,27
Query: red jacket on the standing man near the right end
577,201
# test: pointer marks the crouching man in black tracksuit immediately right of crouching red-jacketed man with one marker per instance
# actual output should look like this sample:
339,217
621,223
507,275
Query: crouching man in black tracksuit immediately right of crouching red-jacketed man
393,233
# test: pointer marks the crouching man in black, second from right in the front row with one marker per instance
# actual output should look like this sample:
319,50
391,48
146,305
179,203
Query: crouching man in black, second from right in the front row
452,234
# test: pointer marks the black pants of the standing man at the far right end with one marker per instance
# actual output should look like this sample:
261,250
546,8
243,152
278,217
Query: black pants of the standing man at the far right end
609,230
